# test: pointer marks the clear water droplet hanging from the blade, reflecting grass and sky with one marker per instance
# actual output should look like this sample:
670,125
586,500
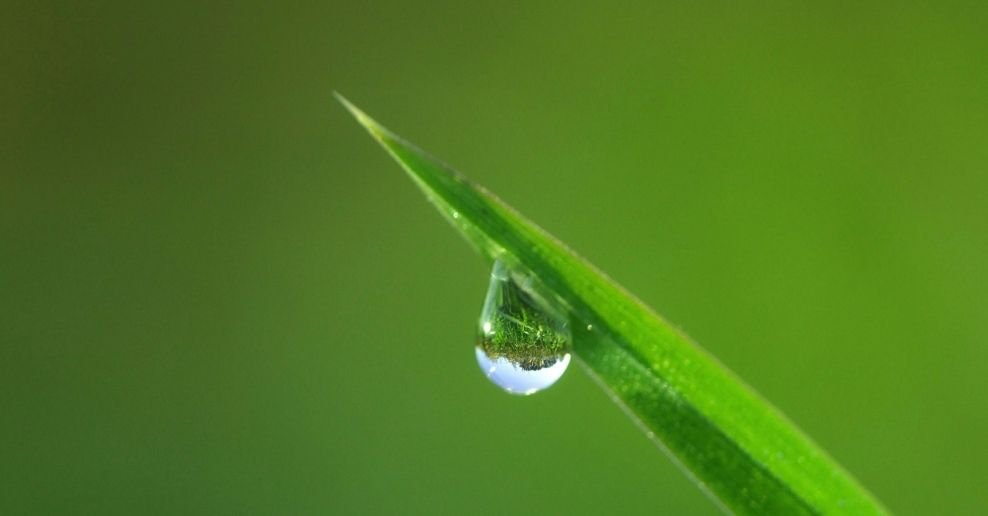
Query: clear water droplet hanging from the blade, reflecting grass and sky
523,345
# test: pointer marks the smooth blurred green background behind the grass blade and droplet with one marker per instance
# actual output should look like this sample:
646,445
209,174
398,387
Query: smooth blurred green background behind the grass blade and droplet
220,296
